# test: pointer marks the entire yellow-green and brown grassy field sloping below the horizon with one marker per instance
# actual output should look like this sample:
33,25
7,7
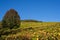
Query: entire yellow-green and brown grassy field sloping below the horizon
34,31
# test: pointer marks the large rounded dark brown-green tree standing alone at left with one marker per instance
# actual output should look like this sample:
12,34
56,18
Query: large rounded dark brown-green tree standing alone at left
11,19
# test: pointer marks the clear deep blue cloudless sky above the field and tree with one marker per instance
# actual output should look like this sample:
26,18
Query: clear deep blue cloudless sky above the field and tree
42,10
